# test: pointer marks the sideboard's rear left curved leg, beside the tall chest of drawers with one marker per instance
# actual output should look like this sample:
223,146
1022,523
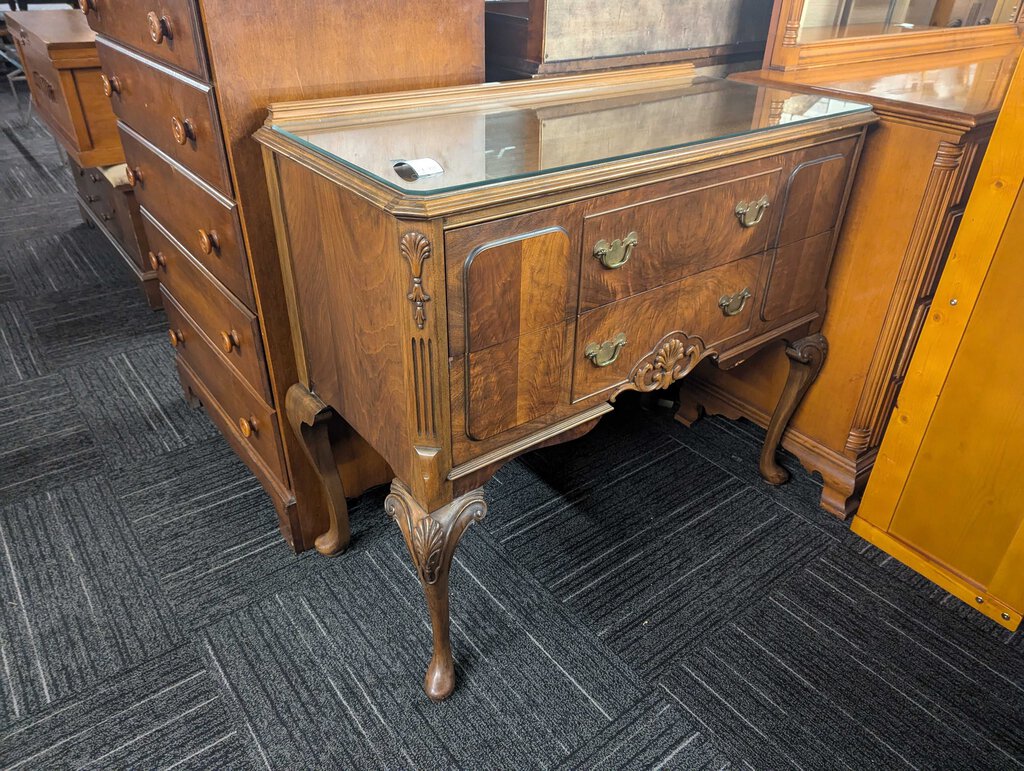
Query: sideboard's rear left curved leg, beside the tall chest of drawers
310,418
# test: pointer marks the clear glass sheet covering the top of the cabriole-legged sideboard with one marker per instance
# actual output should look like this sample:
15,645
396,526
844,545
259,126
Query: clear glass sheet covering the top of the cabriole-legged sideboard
487,142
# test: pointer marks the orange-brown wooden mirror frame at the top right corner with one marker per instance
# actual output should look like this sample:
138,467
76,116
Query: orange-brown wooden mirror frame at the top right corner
786,53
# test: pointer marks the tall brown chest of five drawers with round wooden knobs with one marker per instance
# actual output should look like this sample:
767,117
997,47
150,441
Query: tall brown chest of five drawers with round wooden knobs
190,83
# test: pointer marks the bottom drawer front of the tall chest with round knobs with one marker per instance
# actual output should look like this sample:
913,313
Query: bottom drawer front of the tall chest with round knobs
251,418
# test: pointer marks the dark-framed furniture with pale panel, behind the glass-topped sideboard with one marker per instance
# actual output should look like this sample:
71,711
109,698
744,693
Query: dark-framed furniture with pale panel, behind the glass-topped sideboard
528,38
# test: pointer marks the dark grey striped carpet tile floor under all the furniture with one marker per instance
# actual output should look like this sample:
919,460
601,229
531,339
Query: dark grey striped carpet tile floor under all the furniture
636,599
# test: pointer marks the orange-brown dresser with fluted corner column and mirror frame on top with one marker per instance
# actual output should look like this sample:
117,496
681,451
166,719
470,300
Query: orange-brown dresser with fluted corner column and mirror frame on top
937,112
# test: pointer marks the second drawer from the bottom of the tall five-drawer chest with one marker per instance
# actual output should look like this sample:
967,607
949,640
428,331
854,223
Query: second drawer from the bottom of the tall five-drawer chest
219,315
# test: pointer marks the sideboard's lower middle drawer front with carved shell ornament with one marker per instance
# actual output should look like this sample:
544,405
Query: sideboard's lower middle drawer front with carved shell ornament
657,337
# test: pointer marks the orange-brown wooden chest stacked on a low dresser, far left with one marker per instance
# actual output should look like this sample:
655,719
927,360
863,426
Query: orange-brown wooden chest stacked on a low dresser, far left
59,55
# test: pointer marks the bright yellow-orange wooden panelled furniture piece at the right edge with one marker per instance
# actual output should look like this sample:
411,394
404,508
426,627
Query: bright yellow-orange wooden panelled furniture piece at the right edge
946,498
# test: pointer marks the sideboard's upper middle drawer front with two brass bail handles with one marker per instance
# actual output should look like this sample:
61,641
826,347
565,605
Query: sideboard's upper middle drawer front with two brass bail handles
678,231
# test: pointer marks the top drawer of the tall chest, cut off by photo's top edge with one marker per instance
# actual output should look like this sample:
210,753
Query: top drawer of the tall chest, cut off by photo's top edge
166,30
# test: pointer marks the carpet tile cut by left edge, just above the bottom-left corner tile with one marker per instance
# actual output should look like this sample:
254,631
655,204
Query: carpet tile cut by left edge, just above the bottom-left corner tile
80,604
